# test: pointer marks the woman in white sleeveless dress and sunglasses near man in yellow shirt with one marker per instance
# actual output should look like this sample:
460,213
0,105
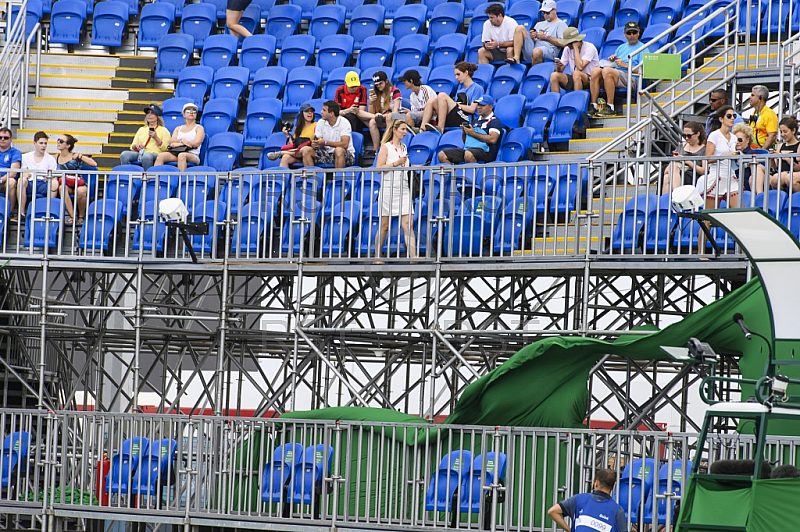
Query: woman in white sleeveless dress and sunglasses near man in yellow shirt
720,181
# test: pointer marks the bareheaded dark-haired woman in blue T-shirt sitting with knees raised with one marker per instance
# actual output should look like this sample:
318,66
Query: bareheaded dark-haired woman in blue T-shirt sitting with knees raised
450,113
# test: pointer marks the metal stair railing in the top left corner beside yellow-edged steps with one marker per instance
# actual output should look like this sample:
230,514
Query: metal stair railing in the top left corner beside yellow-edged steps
15,63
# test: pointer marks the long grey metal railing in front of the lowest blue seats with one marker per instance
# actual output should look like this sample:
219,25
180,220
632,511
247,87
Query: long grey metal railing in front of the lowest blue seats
267,473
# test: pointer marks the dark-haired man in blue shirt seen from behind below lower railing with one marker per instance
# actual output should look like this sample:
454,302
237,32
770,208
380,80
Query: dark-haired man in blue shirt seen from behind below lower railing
592,512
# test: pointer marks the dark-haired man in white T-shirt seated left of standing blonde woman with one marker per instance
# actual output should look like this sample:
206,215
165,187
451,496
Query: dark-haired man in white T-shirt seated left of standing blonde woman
332,142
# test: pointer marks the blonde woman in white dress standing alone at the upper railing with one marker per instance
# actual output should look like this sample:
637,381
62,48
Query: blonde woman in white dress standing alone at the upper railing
395,195
